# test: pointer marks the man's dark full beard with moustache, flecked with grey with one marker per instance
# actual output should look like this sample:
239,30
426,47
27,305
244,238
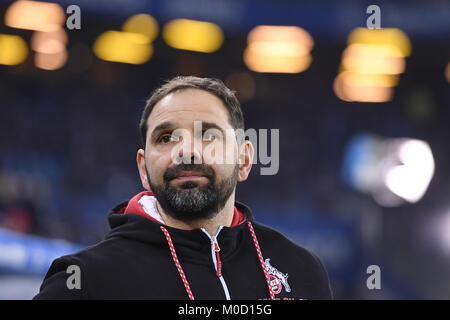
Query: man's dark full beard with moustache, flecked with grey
193,202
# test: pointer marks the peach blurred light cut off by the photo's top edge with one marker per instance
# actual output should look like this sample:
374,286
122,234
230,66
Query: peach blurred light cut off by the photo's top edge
34,15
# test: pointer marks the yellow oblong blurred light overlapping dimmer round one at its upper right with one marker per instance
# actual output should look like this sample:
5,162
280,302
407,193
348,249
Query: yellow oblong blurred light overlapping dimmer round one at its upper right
124,47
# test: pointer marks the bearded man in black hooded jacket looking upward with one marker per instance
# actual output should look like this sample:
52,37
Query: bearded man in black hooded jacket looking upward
186,237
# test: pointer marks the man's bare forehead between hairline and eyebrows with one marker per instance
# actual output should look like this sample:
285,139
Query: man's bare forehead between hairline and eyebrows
187,105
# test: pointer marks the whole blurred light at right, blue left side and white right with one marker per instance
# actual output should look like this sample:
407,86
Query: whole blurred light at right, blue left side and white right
392,170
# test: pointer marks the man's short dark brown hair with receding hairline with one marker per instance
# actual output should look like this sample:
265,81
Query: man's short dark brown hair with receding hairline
212,85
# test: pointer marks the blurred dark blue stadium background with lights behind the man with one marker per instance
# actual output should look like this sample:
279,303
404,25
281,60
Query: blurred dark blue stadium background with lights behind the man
364,175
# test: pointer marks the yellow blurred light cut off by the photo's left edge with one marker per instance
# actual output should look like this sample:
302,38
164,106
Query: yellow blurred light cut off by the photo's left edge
13,49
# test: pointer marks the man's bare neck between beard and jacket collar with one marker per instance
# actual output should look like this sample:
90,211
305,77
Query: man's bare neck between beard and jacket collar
222,218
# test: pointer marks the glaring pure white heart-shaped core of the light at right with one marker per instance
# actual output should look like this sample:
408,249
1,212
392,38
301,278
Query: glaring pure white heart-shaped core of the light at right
410,180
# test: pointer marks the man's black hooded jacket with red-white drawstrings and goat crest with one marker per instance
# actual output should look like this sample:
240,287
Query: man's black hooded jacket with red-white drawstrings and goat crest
143,259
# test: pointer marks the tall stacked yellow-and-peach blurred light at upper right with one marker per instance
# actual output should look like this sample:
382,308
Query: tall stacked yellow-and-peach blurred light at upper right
371,64
